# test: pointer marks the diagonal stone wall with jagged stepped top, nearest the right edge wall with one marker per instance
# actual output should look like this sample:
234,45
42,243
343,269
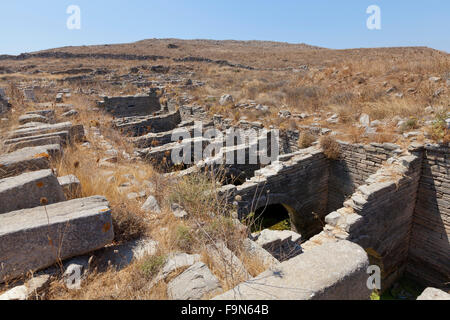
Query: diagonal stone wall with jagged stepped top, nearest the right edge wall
379,216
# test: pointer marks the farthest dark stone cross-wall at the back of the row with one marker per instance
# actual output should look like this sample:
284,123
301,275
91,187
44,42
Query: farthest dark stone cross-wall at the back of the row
128,106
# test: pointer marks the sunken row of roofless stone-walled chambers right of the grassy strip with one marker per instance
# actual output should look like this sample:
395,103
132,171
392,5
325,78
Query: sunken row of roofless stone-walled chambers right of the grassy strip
377,204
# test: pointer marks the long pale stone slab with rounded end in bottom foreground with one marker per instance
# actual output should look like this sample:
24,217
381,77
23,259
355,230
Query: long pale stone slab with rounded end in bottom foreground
327,272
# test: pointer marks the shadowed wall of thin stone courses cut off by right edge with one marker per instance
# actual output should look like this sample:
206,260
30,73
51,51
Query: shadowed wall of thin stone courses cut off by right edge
429,250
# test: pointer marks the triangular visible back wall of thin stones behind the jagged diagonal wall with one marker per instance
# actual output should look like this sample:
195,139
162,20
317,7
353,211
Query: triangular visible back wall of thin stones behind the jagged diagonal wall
355,164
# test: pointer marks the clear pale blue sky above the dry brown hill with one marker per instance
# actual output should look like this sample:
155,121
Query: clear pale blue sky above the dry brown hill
29,25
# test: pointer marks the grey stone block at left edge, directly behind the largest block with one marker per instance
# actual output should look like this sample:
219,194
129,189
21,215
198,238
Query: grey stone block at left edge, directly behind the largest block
27,190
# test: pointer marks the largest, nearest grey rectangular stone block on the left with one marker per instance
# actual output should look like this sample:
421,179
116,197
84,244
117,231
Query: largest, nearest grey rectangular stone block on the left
33,239
